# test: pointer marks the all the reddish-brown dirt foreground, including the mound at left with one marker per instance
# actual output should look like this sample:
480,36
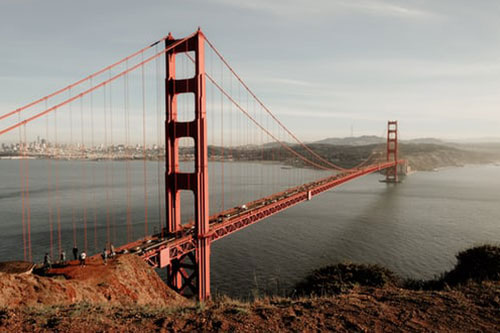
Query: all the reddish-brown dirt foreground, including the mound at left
128,296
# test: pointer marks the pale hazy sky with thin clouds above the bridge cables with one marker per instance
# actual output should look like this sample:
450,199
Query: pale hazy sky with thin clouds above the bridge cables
321,66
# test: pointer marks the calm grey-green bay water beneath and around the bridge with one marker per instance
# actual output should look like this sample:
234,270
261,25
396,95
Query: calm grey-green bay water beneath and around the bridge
414,228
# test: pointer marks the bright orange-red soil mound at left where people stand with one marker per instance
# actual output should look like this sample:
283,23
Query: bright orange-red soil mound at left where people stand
125,280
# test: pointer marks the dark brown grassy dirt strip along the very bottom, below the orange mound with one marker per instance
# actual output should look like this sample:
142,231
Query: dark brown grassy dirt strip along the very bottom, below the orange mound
475,308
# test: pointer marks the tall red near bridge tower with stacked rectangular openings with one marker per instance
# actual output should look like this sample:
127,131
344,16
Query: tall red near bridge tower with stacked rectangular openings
192,271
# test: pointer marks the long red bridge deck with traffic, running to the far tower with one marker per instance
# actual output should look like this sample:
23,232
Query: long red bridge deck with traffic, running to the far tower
159,251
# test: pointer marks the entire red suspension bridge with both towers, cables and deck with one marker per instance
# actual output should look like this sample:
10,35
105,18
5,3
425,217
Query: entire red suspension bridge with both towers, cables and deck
145,154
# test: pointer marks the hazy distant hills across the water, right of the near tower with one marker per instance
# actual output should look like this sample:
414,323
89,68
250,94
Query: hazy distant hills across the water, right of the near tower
422,156
